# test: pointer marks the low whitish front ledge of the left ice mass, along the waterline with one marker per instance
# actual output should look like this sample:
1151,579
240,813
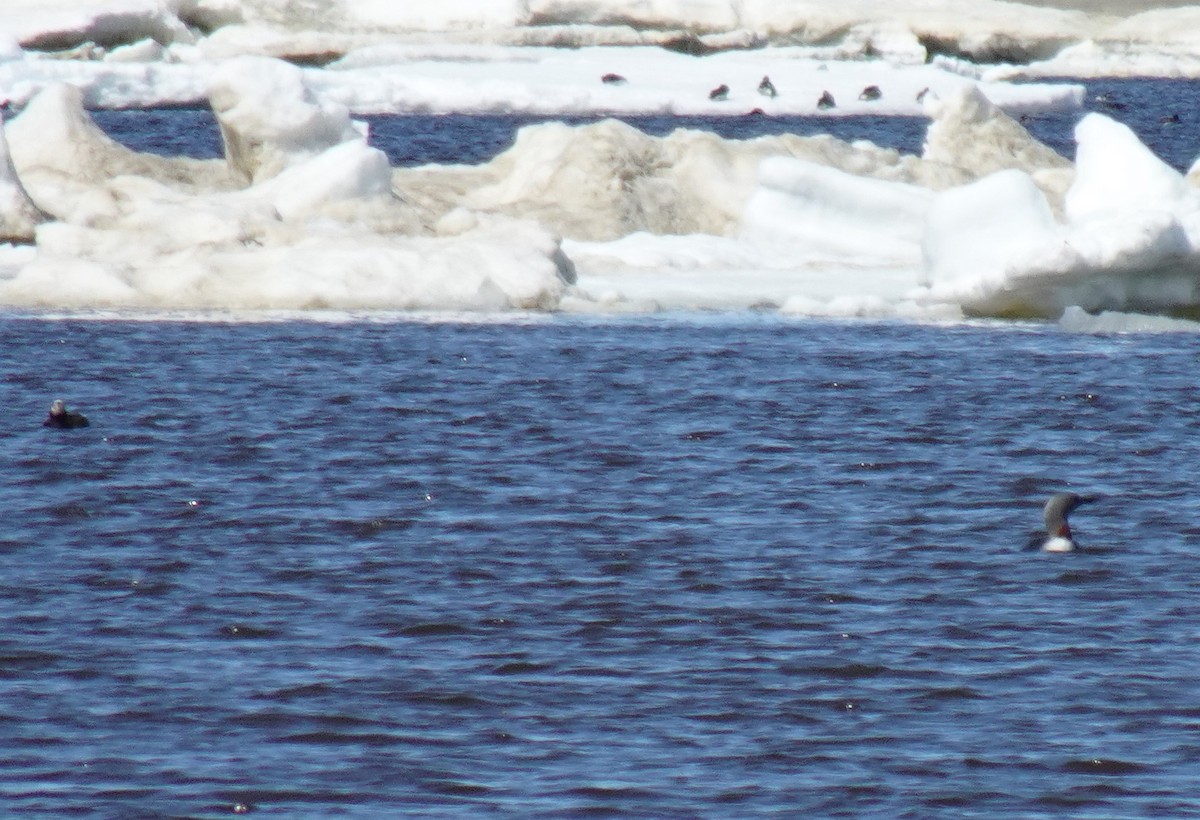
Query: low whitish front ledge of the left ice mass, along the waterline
493,267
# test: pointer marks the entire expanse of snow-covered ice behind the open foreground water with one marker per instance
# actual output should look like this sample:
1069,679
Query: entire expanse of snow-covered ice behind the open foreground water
303,214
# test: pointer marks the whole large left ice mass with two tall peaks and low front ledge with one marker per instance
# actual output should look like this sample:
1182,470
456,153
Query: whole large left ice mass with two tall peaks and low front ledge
140,232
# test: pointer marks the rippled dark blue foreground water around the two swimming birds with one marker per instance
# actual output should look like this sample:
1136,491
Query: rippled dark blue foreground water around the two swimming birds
688,567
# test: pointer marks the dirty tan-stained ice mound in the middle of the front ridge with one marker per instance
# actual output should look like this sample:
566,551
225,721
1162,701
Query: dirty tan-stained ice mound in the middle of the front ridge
607,181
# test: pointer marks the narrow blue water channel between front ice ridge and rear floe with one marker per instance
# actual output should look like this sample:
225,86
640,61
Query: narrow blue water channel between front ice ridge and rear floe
411,141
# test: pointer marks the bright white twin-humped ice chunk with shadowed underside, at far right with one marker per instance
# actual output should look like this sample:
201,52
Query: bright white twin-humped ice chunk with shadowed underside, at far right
995,248
